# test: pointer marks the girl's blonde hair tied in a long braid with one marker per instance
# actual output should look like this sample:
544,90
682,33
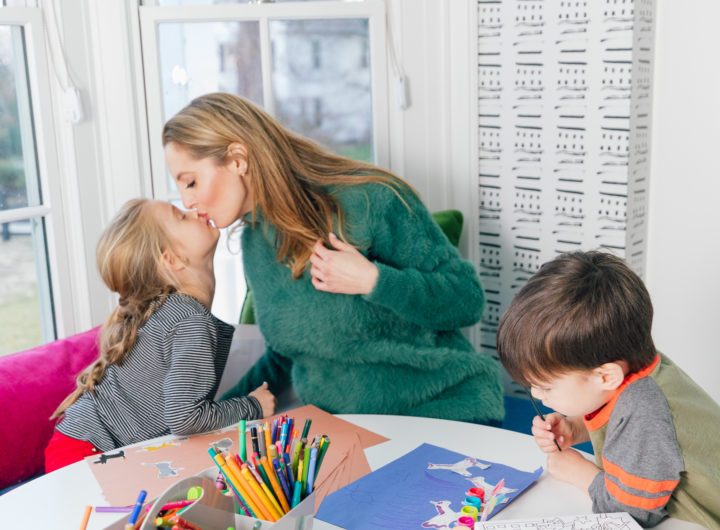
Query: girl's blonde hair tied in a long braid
128,258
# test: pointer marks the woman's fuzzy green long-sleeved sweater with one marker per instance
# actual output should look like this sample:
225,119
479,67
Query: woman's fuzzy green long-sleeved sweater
397,350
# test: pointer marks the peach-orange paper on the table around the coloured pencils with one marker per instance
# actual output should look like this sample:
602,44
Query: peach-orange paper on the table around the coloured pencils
155,466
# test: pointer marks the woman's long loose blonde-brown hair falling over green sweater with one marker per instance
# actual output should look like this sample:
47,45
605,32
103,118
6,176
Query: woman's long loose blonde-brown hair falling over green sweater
289,174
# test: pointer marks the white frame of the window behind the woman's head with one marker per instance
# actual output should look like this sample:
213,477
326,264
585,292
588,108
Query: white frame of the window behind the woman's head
151,17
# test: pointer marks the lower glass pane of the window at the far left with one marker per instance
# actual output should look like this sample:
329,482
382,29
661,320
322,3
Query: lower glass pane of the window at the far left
26,319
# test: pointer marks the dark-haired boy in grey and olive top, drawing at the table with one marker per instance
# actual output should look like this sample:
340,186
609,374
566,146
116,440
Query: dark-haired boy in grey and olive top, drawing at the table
578,333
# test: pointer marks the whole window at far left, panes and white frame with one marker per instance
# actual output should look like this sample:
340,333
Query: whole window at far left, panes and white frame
30,221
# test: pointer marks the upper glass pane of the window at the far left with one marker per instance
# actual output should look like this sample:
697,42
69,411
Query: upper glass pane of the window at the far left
18,169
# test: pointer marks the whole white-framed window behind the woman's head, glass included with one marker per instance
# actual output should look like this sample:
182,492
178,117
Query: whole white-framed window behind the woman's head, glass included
273,54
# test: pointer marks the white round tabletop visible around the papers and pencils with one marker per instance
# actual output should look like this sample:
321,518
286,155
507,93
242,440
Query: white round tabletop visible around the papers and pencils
57,500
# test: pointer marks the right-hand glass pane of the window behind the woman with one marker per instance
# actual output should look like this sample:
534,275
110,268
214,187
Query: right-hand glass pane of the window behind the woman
321,82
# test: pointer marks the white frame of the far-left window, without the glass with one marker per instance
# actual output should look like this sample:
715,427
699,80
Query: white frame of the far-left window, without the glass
59,309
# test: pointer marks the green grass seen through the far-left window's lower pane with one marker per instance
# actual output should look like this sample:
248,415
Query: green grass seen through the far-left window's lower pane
20,327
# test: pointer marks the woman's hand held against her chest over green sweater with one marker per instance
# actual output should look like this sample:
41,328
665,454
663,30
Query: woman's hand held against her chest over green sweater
343,270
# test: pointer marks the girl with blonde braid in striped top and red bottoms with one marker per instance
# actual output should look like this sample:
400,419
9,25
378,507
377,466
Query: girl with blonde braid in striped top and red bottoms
162,352
